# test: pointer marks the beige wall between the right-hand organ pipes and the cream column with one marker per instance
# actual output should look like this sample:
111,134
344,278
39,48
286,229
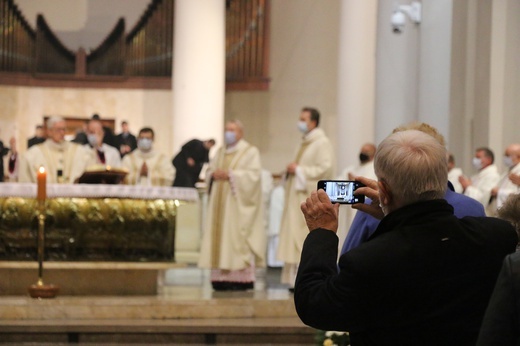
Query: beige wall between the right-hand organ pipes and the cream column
303,70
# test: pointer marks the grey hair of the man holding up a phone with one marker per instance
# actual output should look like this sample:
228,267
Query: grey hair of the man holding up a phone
413,164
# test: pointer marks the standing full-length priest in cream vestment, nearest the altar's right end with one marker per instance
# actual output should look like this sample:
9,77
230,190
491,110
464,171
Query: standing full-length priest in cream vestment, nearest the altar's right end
234,239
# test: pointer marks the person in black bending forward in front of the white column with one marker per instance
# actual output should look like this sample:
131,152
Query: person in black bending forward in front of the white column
189,161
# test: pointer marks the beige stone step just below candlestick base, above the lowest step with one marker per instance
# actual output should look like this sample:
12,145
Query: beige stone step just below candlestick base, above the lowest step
103,308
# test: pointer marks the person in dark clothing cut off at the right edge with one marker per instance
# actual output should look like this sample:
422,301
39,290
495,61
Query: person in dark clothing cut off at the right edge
501,324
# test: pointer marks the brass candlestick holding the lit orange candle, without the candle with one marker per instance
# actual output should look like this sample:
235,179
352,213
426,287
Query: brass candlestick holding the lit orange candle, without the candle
41,290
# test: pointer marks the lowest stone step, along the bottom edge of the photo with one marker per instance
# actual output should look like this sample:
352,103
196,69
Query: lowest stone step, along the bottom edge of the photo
222,331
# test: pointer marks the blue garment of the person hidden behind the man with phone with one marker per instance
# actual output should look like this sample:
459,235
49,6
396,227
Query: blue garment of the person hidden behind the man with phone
364,224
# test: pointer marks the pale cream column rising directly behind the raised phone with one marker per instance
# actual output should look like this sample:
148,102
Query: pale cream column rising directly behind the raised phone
356,84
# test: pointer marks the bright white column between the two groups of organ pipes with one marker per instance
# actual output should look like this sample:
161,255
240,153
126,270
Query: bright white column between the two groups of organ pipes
198,71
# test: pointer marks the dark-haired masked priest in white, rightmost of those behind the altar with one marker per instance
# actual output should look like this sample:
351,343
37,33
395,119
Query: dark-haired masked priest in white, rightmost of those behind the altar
147,166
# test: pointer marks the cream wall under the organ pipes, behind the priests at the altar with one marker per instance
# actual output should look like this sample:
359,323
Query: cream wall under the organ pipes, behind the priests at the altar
21,108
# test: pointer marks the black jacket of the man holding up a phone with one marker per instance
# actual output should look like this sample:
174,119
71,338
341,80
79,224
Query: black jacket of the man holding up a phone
423,278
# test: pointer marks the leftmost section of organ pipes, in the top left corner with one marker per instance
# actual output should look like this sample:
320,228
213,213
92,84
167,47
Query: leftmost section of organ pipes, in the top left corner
17,40
